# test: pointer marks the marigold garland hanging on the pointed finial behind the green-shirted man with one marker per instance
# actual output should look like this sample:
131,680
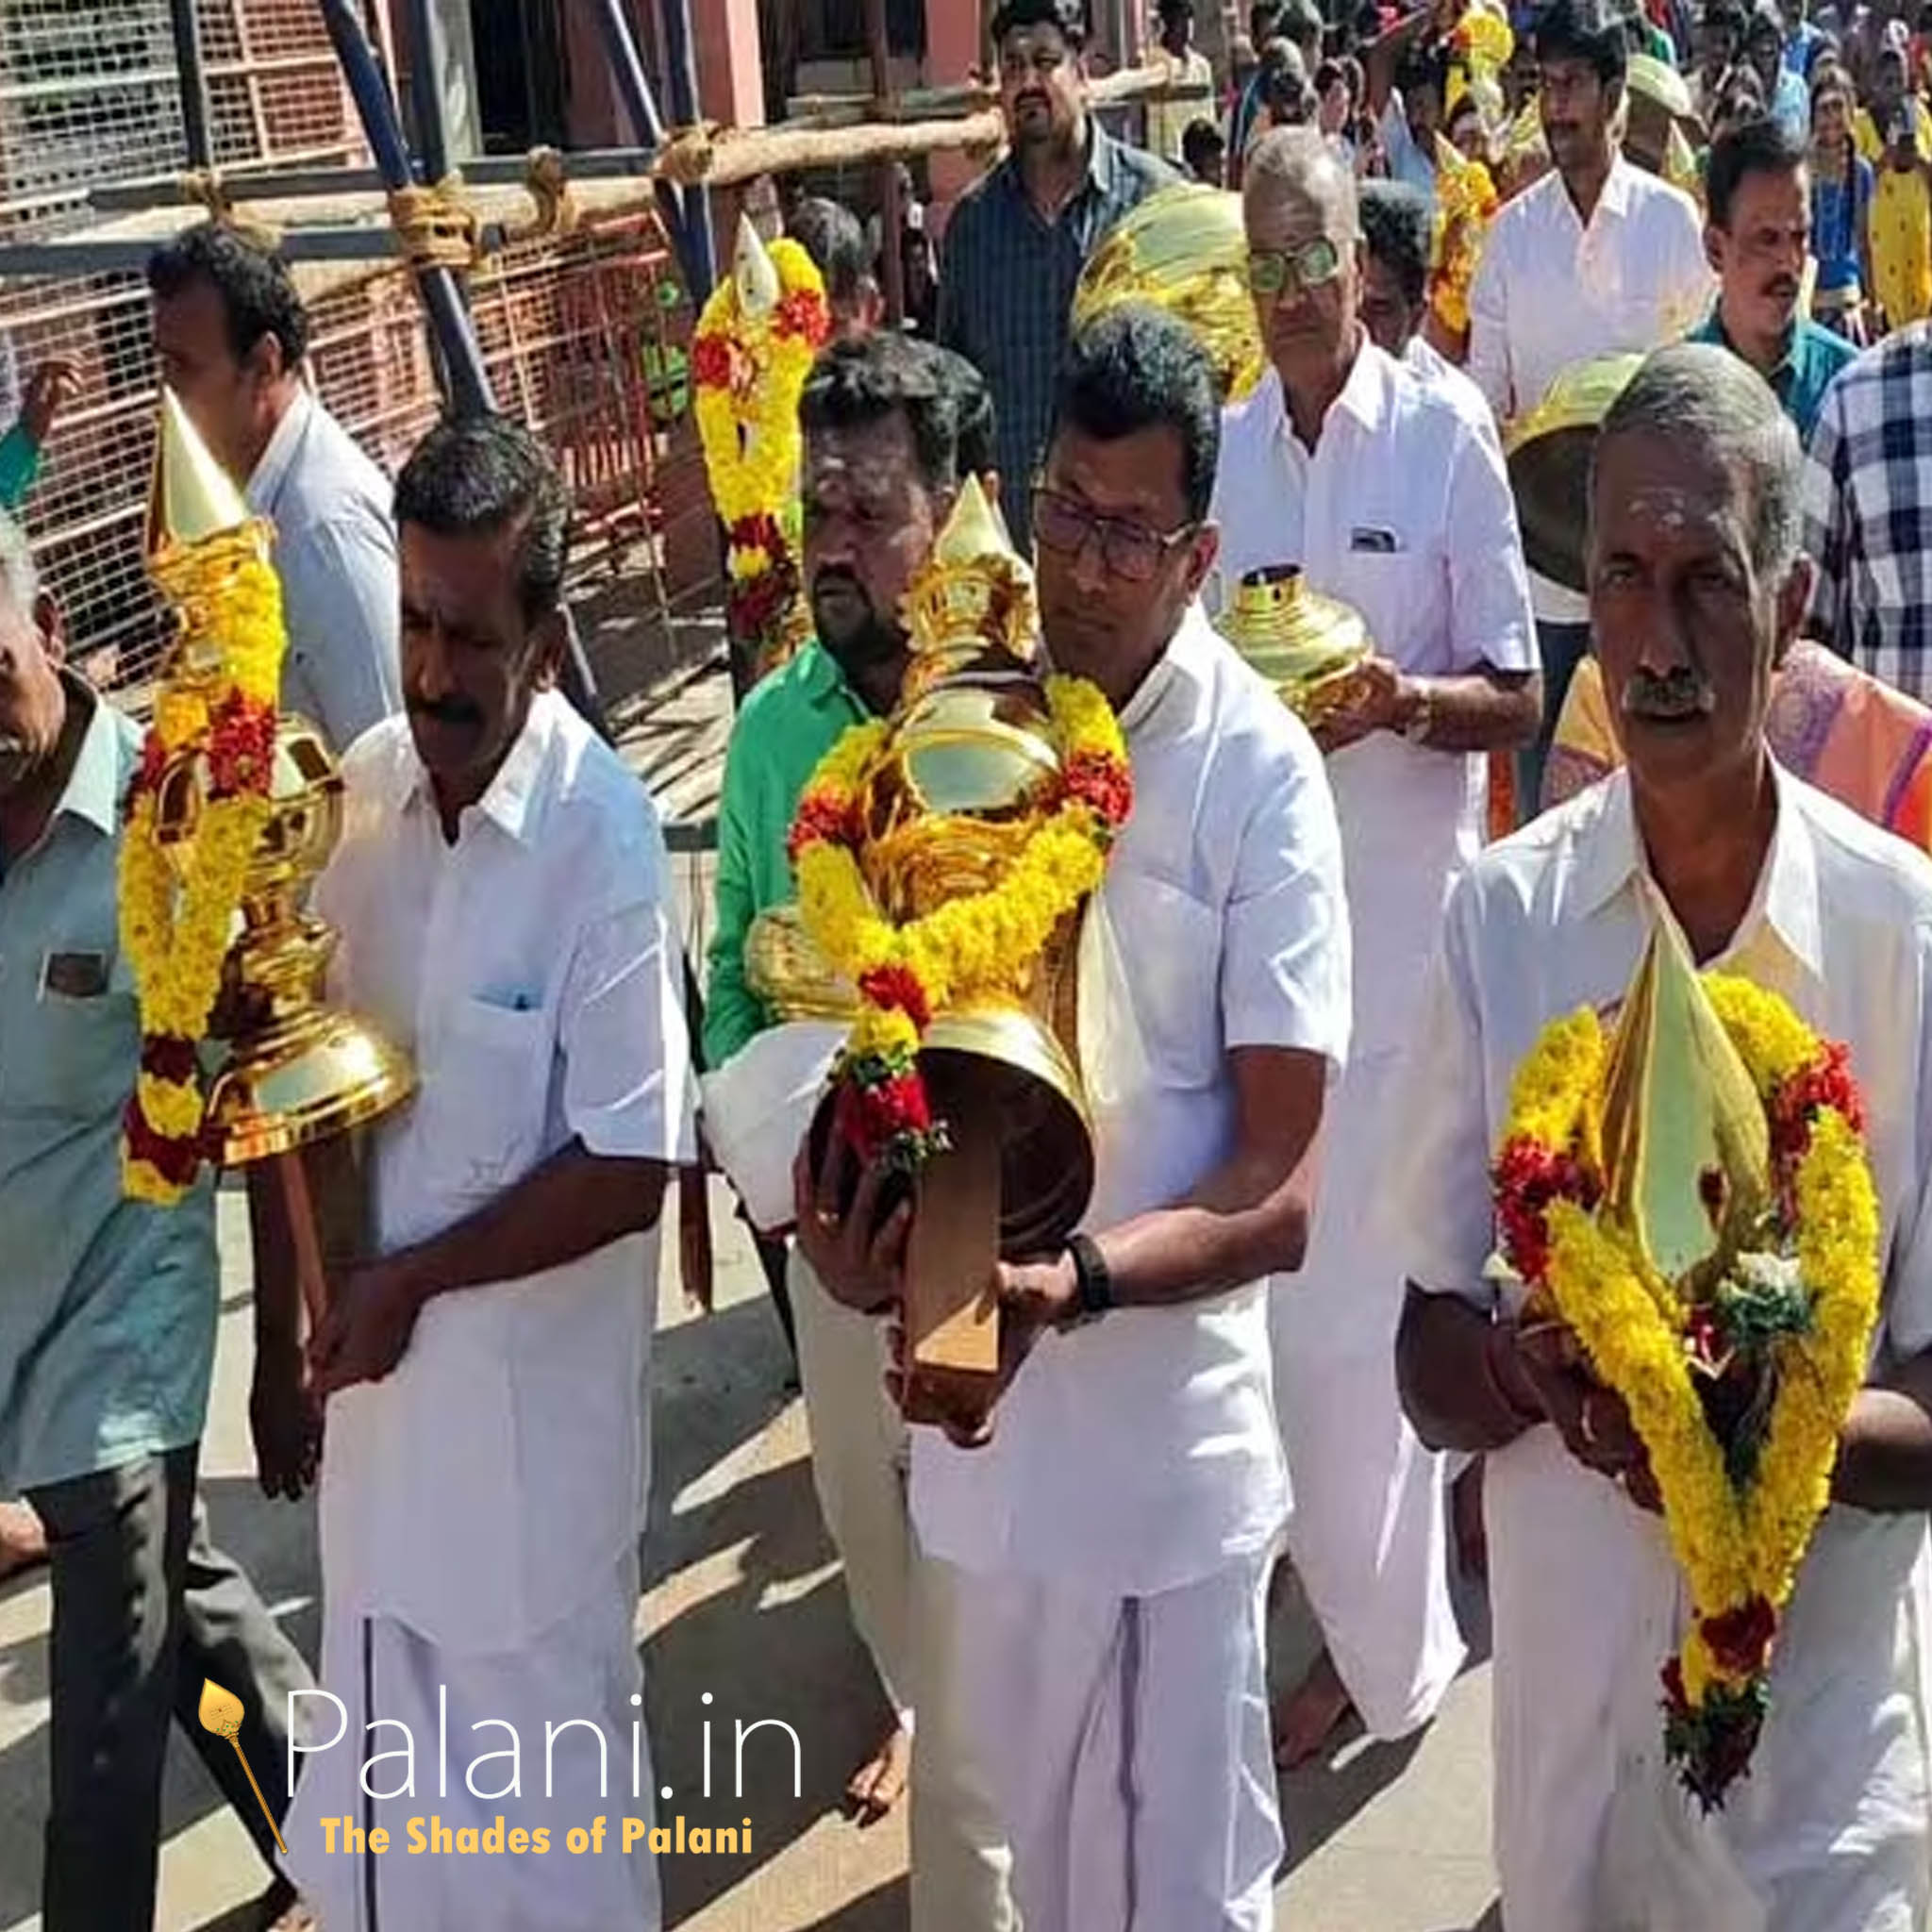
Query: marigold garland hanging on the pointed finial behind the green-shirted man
749,376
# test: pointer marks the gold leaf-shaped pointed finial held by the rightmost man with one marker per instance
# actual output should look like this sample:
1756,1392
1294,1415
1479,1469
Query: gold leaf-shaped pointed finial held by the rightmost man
1688,1160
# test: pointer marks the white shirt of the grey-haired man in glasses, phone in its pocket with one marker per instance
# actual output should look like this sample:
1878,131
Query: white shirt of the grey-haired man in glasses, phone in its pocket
1404,513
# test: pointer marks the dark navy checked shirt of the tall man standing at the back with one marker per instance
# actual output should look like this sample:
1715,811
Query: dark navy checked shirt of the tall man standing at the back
1006,287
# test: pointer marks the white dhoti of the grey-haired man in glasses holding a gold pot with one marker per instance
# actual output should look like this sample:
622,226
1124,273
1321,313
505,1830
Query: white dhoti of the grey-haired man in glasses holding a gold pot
1369,1523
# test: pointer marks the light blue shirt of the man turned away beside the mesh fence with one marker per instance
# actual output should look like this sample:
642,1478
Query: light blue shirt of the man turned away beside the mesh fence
335,552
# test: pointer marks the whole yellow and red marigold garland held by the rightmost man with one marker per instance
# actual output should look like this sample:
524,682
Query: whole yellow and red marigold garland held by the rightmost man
1740,1545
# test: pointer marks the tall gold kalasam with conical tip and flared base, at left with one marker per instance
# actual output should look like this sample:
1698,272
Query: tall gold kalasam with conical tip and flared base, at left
300,1071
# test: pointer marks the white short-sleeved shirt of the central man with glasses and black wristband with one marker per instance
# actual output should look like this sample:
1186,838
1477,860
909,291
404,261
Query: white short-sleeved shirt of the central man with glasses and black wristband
1141,1452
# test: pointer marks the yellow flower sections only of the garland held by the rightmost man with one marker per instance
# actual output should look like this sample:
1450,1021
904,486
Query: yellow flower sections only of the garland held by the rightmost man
1732,1547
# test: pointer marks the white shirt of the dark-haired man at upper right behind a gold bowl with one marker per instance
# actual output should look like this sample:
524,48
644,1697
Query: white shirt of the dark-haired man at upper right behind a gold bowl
1552,293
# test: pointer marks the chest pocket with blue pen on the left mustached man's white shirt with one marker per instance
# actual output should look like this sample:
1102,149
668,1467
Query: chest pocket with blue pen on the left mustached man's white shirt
486,1096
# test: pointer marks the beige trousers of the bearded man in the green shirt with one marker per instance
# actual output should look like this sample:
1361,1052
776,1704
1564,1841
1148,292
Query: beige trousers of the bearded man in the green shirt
859,1469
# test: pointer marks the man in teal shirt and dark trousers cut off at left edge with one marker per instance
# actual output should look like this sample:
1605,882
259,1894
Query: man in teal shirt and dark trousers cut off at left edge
107,1324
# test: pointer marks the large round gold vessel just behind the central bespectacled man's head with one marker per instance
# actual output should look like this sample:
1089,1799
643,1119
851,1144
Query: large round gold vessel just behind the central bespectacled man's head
1183,250
